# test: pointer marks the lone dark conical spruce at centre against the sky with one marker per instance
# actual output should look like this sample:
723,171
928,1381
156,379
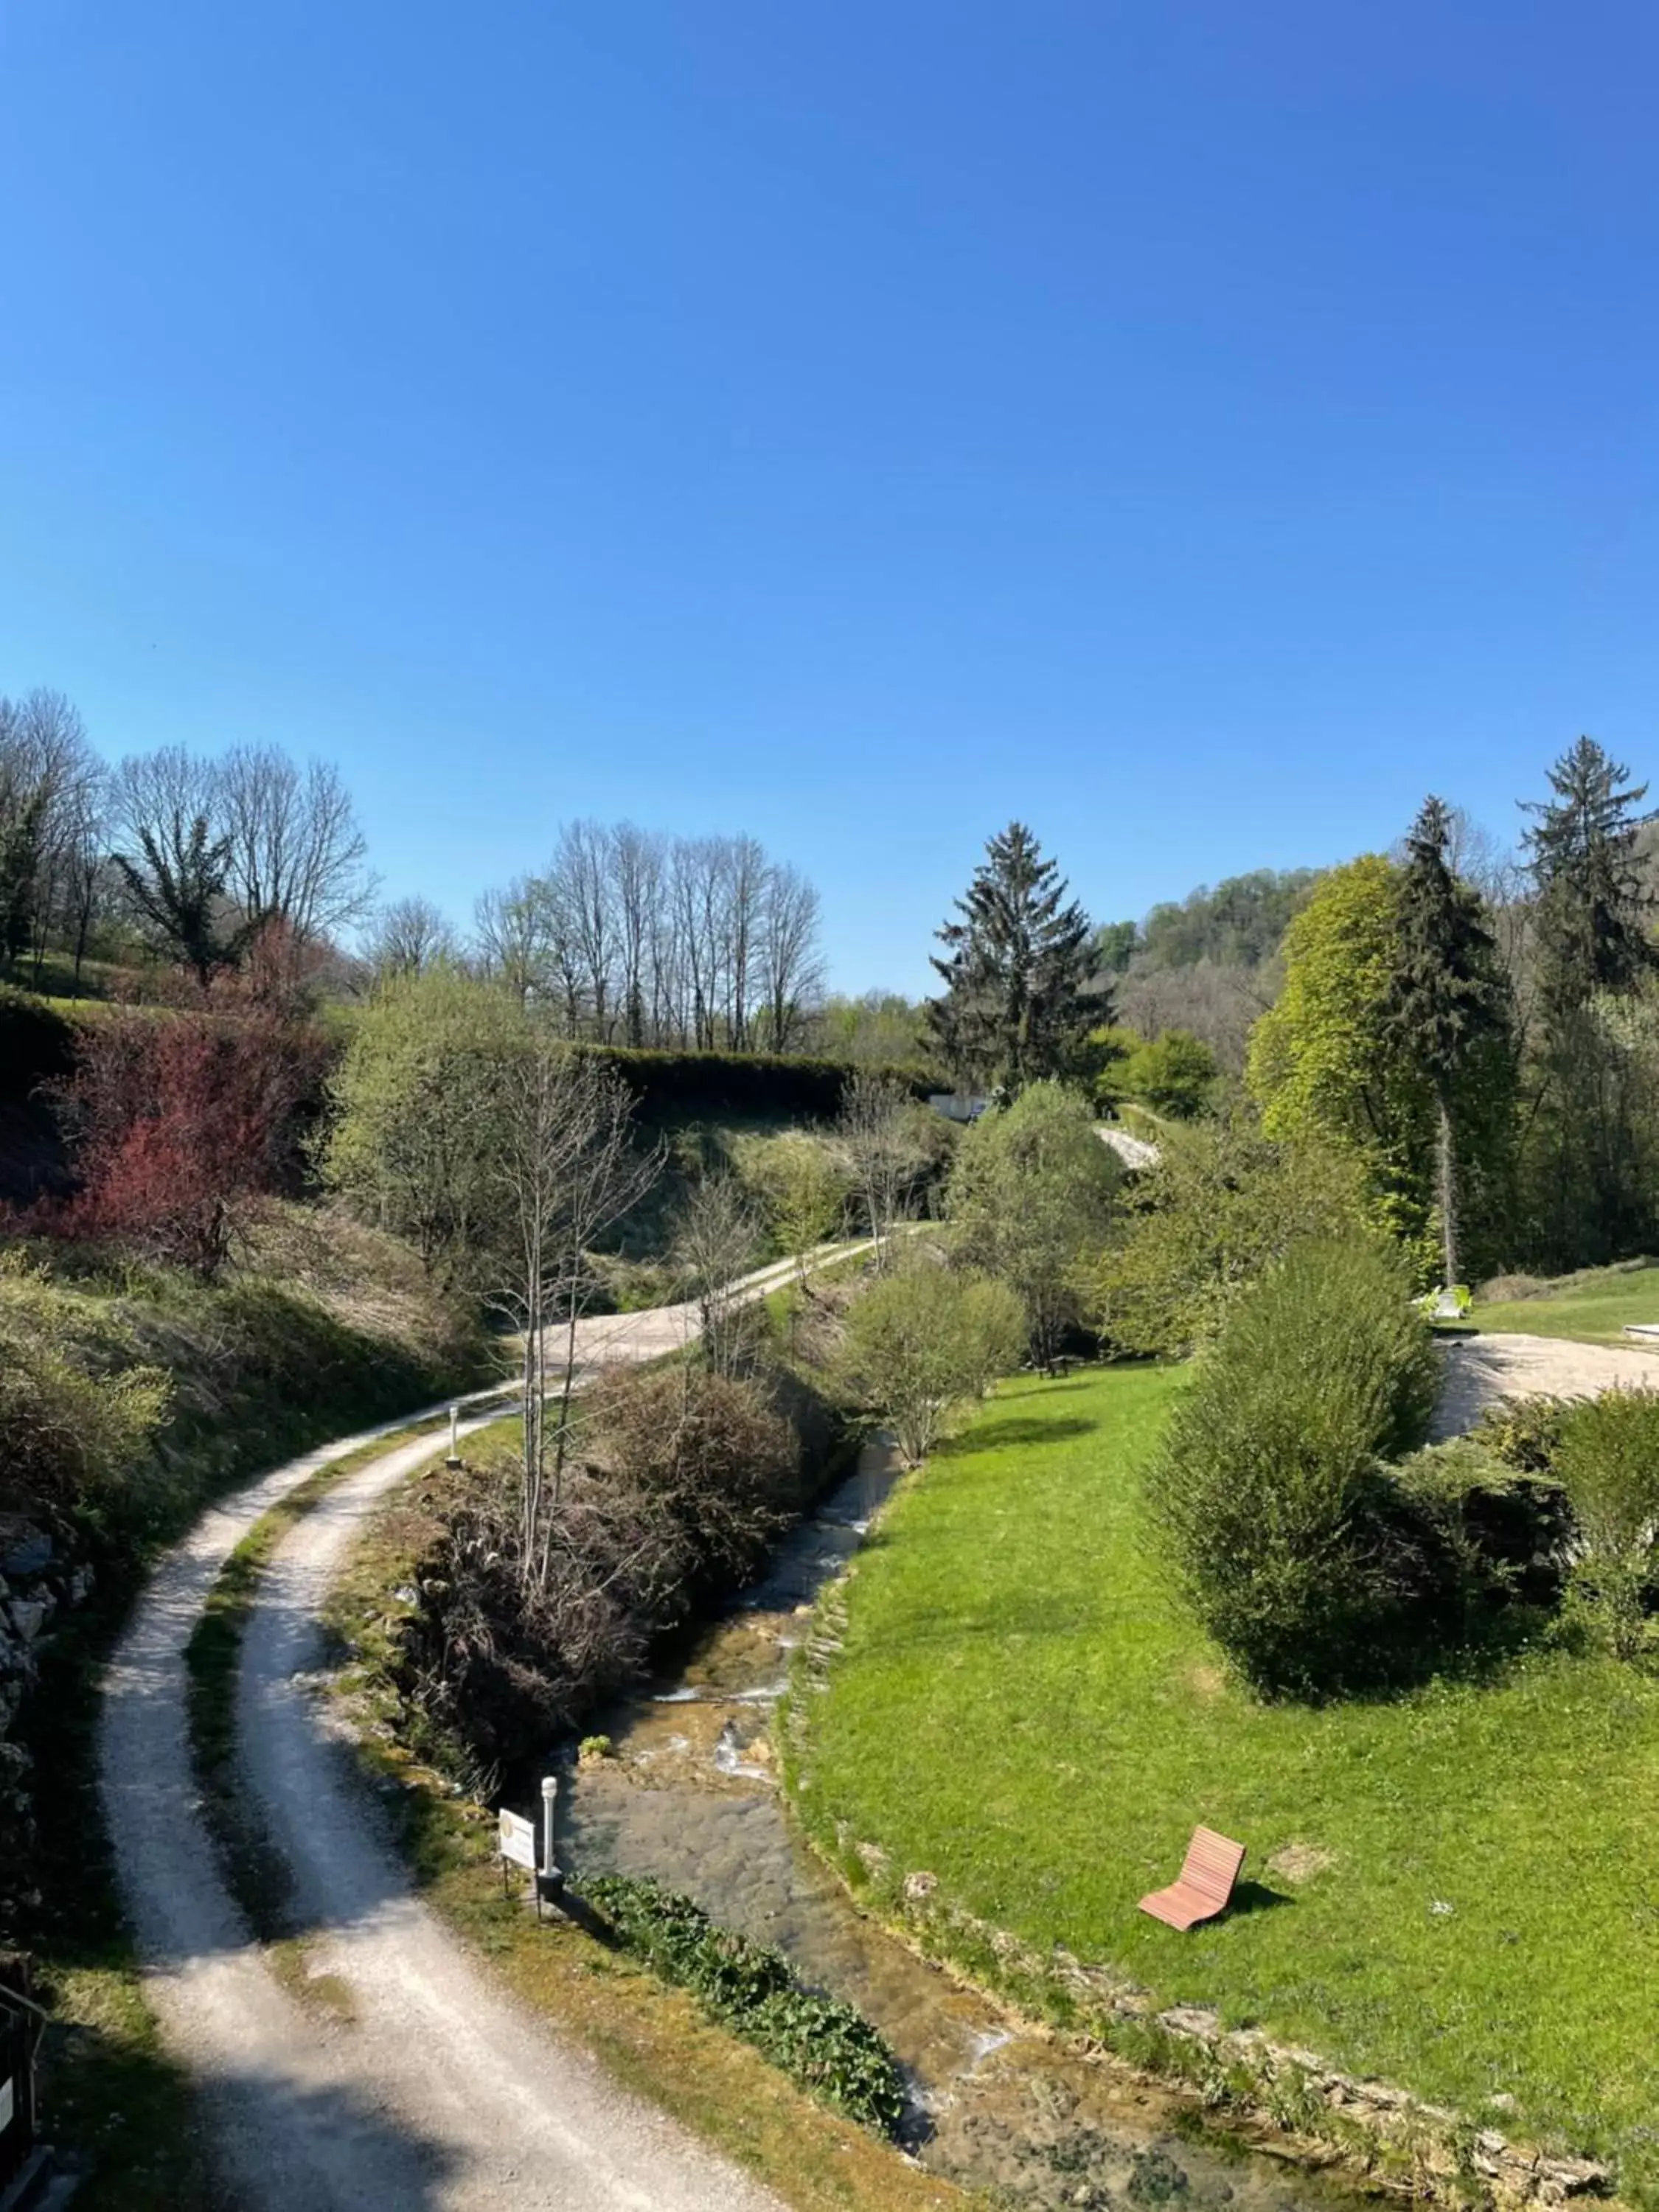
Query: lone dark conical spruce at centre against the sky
1016,970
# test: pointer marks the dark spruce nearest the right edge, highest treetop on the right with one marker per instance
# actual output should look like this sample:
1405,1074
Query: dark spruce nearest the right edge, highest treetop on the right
1592,915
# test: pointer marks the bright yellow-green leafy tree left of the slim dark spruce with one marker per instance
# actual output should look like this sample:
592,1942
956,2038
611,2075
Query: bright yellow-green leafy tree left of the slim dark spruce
1328,1063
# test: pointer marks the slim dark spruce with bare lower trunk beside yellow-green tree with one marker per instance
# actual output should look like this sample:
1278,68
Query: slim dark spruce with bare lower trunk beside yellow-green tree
1448,999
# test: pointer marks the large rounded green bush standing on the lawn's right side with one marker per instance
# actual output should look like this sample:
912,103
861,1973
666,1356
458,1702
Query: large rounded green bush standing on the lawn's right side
1269,1496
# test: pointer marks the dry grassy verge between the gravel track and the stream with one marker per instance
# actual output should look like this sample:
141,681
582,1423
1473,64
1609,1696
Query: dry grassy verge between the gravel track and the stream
651,2038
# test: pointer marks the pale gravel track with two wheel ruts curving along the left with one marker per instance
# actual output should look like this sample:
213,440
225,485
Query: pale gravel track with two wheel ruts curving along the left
424,2085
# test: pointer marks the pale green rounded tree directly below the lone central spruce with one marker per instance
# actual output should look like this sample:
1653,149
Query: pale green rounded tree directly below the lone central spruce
1032,1200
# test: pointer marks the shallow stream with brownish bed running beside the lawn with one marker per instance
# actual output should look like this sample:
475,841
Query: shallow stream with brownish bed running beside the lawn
693,1802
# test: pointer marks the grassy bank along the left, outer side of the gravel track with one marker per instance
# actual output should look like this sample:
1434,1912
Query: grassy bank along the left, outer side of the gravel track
317,1333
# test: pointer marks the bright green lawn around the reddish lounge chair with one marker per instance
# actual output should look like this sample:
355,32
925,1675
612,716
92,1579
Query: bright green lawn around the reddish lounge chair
1023,1709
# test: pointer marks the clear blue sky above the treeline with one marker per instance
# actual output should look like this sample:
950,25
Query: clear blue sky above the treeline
1196,428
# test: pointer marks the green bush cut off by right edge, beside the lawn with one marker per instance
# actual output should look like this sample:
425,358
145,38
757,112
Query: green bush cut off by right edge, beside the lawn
1607,1461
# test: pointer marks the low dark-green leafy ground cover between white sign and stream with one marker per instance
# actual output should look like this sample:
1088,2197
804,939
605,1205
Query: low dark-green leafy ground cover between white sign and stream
824,2045
